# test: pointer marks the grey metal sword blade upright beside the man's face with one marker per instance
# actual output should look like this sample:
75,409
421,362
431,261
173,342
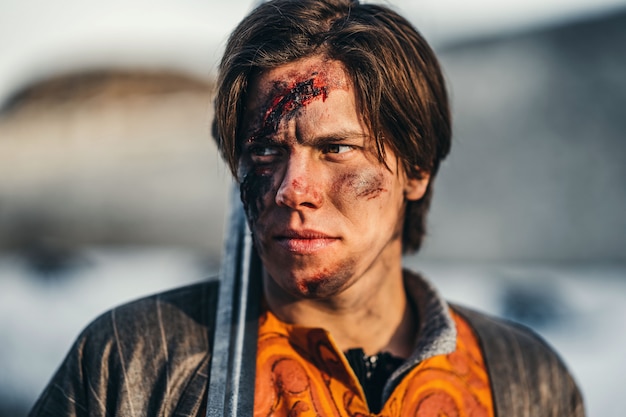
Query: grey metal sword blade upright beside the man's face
233,362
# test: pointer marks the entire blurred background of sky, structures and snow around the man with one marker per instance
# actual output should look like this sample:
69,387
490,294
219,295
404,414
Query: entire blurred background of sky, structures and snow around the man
111,187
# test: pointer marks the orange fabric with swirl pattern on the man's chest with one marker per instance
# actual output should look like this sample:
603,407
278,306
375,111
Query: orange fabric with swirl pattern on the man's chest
300,372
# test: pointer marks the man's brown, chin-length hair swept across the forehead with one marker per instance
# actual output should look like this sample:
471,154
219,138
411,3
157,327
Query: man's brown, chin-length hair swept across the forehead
398,82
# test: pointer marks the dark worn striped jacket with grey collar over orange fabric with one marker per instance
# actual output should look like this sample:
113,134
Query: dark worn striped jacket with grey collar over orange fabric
151,358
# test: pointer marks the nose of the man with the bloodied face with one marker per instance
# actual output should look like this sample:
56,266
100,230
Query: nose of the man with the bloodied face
300,185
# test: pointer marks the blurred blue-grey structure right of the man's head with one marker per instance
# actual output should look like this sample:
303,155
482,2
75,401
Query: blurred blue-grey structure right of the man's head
538,166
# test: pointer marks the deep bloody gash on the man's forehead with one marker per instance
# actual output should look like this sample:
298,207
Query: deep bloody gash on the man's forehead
286,100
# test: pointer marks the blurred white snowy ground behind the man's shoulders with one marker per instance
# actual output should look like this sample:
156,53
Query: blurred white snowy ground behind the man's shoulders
580,310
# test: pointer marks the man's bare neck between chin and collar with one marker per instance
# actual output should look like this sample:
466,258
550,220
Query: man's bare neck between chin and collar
372,314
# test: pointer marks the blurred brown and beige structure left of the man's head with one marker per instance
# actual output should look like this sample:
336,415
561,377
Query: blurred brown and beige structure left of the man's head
109,158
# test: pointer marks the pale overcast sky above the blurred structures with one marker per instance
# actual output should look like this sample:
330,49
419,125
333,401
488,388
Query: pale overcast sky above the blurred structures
39,37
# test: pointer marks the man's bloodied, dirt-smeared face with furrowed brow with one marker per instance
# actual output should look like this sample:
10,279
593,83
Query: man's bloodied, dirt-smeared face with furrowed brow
323,210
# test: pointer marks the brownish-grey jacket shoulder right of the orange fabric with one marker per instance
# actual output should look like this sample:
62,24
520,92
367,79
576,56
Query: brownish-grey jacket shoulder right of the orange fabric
527,376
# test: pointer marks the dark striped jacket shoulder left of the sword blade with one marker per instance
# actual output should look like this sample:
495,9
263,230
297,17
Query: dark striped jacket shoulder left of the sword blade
139,357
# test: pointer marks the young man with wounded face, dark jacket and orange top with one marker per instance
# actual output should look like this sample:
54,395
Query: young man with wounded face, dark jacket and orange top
333,116
